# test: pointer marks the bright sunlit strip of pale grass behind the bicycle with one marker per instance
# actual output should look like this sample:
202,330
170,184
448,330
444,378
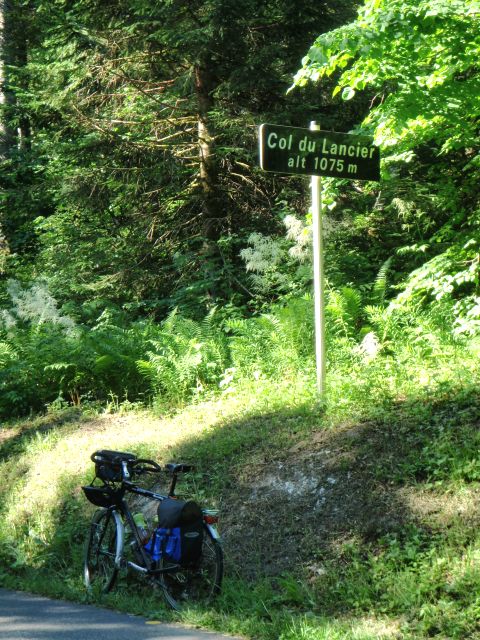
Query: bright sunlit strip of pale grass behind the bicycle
56,461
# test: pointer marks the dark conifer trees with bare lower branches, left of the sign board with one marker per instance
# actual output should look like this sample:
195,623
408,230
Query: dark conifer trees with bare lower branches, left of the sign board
113,202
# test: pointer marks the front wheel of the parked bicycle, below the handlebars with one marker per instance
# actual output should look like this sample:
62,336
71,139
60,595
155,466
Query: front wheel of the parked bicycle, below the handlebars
103,551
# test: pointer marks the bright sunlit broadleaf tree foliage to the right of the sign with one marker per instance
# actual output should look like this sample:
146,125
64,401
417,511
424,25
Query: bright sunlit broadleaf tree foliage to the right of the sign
416,60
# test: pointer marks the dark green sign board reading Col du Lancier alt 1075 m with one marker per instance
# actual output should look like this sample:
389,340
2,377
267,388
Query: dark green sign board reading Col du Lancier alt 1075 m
318,153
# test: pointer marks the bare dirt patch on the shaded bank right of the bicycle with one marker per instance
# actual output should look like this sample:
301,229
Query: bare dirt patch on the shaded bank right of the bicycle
322,493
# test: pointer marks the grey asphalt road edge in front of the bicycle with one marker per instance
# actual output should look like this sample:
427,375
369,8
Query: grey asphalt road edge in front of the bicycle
28,617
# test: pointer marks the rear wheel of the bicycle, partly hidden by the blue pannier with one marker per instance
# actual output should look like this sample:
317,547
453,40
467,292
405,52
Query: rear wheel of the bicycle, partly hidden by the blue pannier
197,585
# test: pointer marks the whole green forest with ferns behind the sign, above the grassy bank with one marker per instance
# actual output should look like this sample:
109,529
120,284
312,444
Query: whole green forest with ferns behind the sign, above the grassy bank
143,252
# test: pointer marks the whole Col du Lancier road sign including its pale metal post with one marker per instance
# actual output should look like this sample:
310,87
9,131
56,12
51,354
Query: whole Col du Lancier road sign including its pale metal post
318,153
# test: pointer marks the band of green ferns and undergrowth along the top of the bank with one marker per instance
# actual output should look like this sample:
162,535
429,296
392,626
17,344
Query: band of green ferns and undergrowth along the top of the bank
46,357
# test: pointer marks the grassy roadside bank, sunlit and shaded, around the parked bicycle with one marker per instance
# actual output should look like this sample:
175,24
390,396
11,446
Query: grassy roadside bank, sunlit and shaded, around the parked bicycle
404,427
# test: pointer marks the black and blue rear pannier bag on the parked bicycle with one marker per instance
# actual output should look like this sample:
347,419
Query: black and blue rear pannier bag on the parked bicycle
179,534
